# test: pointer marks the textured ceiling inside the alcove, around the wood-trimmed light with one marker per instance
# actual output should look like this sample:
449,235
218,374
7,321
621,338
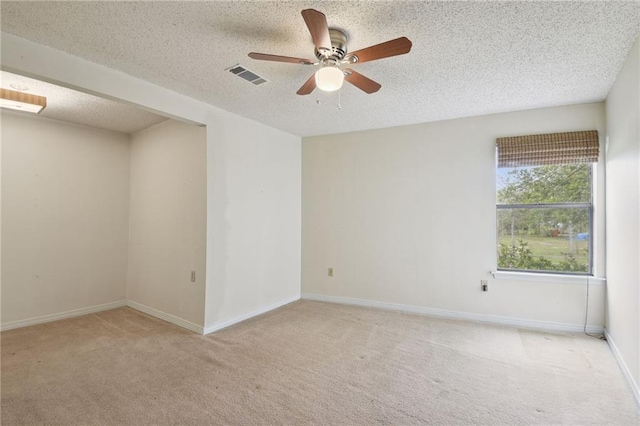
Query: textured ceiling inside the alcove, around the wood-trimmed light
81,108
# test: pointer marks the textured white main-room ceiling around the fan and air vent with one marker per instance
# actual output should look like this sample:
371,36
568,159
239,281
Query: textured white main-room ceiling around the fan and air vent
468,58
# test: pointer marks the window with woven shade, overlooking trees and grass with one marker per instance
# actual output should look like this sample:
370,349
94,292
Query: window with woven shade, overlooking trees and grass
544,202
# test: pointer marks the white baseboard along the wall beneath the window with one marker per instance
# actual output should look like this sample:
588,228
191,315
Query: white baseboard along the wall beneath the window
493,319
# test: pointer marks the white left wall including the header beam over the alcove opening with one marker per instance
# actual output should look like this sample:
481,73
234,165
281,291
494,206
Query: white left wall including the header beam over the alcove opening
253,237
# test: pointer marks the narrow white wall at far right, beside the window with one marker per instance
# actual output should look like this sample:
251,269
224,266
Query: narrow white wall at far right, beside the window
623,215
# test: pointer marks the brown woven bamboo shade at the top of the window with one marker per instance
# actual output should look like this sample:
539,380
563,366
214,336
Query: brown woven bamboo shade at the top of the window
550,148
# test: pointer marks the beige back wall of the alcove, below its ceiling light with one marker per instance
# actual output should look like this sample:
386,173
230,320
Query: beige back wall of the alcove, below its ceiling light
65,212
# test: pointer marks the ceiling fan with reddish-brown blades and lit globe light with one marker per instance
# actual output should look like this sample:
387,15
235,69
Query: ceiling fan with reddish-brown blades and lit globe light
332,56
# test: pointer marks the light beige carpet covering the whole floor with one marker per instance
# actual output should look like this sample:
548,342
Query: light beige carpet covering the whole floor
307,363
